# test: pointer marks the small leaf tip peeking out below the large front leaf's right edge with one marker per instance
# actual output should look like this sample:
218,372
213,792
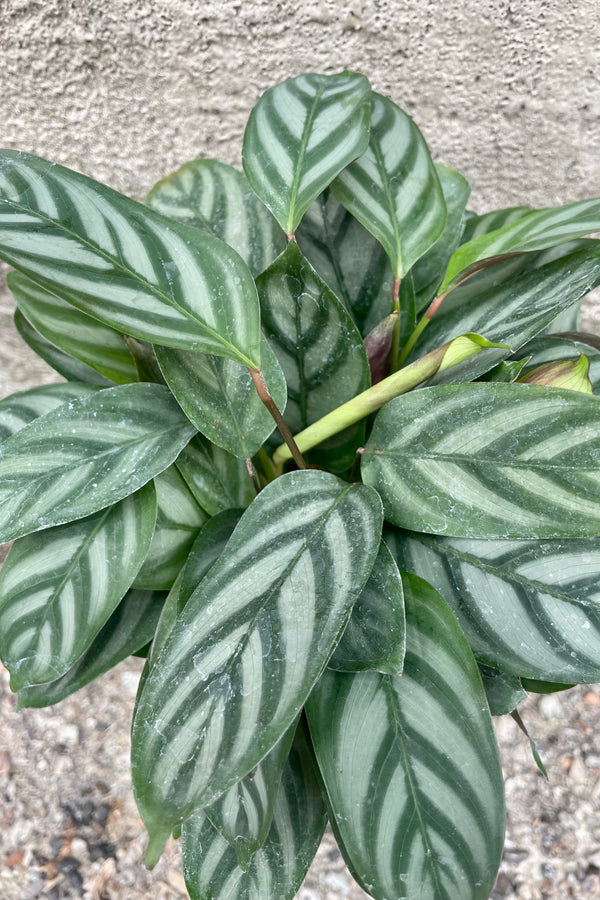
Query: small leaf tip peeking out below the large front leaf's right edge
243,814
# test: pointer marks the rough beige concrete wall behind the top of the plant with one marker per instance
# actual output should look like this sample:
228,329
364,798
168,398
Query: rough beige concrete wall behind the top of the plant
508,91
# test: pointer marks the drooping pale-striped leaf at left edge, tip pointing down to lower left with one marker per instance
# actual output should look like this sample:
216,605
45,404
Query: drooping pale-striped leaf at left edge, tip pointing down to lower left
59,587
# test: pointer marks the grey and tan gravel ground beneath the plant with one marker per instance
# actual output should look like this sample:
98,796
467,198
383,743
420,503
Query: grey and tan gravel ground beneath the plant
69,829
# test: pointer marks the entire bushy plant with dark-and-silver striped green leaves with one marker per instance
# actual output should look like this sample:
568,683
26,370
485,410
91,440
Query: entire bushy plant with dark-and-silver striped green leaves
327,454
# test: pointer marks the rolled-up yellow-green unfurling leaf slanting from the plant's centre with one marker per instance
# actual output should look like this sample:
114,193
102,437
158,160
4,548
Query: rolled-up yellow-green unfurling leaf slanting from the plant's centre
449,354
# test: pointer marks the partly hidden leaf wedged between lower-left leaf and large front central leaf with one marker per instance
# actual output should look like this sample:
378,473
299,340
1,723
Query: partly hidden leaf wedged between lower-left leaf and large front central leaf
178,521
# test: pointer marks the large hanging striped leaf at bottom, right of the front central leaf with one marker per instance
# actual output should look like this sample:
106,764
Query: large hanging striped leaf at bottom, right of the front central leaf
411,765
